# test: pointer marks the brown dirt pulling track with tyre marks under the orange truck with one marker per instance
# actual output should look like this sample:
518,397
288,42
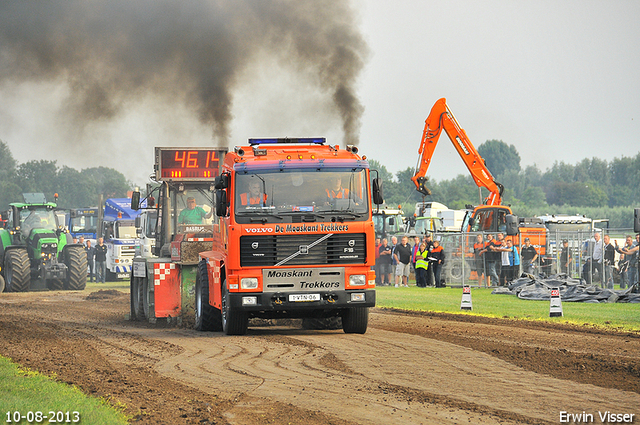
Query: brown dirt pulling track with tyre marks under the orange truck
407,368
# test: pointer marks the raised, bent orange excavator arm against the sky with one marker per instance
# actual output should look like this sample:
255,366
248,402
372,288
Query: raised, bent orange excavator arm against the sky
441,118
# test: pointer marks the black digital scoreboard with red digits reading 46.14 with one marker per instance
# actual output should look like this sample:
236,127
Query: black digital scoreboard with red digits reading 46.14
188,163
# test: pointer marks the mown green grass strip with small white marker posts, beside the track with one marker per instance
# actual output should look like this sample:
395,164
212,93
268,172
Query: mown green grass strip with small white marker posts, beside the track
620,316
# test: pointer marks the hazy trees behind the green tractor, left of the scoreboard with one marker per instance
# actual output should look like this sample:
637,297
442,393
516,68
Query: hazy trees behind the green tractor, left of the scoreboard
75,189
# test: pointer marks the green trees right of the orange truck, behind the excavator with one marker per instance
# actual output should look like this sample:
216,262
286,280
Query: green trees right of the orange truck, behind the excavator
592,187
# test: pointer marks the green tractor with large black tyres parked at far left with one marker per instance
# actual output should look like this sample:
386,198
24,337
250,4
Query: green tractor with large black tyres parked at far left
36,252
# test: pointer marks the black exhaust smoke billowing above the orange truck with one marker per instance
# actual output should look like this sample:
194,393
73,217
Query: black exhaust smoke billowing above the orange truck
112,52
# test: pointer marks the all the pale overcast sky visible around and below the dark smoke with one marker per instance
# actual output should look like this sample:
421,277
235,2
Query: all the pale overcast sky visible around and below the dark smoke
560,80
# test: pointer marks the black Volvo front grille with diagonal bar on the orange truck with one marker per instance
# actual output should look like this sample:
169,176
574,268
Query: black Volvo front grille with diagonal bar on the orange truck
267,251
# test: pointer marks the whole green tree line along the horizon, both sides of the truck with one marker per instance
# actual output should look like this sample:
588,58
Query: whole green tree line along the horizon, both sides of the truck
592,187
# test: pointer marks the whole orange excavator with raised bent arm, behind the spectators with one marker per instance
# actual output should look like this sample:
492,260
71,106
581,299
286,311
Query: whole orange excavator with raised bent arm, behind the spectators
491,216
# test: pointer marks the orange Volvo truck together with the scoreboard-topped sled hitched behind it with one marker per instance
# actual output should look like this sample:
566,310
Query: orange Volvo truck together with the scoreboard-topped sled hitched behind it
284,230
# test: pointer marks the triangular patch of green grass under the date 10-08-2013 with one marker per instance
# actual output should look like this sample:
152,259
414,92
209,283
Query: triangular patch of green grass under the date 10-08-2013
23,391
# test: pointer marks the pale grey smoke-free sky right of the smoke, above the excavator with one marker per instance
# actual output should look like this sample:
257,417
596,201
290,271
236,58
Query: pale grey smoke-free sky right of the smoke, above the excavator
560,80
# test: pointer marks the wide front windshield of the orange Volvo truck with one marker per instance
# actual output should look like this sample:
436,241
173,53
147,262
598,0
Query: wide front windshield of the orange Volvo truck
302,192
